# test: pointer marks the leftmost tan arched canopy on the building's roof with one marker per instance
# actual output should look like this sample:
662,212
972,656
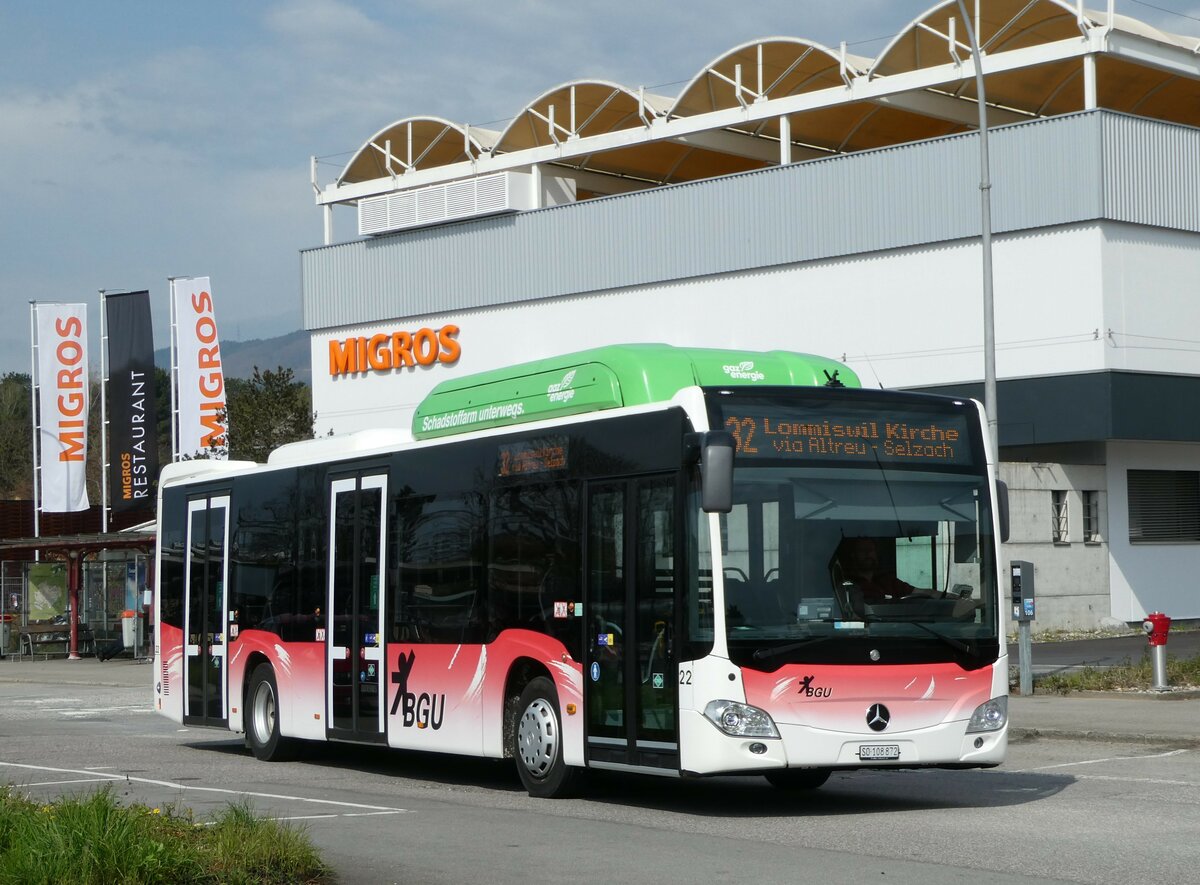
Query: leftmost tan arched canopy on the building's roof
416,143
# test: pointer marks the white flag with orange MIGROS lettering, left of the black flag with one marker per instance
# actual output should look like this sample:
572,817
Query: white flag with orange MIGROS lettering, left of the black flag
63,406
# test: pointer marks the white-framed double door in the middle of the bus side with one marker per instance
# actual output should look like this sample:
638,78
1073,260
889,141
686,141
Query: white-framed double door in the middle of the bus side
355,661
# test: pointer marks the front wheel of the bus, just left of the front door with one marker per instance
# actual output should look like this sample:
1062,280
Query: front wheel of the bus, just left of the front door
538,743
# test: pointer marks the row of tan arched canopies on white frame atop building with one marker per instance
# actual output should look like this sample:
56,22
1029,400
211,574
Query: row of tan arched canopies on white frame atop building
787,99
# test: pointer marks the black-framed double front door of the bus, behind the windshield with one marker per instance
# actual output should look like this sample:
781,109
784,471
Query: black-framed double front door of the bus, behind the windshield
632,695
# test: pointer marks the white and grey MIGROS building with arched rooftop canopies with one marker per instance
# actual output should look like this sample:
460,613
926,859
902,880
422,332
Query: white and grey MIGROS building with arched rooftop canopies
830,204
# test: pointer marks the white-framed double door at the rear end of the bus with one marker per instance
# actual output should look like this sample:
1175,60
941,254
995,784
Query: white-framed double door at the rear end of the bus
207,612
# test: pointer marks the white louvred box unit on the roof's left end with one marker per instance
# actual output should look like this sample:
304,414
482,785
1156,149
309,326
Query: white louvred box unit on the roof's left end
472,198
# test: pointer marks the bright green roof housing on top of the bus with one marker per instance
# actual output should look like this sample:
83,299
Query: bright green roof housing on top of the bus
608,378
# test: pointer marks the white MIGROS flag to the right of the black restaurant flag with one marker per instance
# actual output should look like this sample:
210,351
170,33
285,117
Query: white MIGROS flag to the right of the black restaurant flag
201,399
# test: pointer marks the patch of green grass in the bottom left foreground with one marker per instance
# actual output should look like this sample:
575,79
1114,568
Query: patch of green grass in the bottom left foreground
94,840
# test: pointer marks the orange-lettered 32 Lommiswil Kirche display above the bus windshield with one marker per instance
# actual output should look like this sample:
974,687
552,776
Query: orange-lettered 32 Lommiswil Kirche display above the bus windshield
893,438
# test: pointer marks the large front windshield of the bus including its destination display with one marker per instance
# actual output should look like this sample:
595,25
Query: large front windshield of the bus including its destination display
861,532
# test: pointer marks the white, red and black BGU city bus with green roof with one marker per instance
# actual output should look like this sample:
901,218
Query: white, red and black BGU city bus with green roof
637,558
